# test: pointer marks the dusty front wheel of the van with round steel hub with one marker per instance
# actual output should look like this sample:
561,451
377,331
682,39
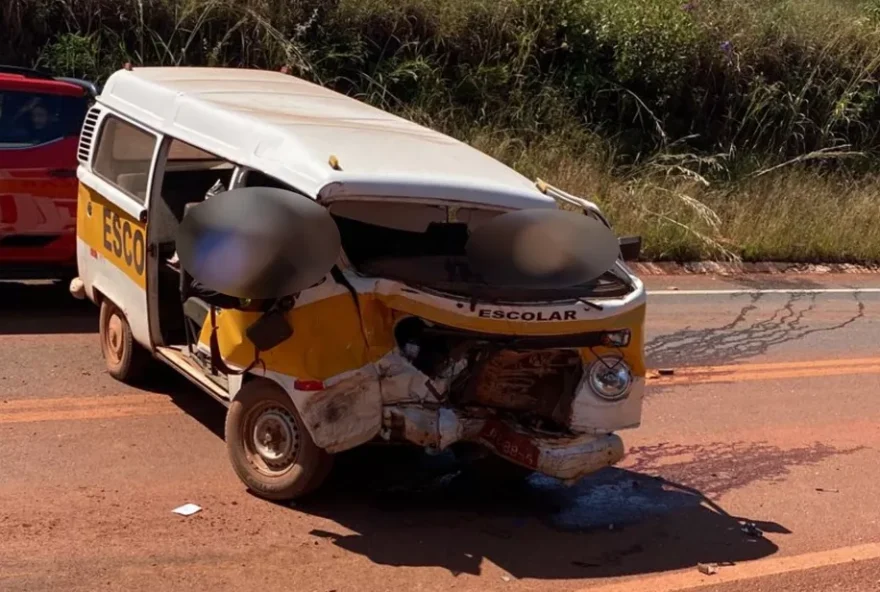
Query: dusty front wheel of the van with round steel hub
297,466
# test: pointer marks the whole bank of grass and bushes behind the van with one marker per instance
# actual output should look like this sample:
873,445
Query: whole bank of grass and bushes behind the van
719,129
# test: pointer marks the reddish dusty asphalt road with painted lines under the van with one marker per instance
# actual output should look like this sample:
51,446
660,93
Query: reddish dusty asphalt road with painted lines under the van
771,418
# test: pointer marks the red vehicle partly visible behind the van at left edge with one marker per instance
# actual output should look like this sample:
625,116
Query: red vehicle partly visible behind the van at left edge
40,121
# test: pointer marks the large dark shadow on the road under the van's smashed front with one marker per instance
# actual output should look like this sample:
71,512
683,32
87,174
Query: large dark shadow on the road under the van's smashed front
399,508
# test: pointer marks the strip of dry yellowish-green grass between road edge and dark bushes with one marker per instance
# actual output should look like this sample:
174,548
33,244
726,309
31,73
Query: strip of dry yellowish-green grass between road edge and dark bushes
790,214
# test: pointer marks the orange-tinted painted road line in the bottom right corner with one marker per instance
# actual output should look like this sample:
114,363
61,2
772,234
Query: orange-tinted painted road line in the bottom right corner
691,579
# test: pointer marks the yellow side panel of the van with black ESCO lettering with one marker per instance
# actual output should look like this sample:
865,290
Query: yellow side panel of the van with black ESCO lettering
113,234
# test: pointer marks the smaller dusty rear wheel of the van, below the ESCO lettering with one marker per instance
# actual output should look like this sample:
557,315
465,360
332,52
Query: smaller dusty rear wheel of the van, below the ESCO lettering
125,358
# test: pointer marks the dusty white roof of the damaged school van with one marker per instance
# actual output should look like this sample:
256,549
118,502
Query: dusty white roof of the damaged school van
289,128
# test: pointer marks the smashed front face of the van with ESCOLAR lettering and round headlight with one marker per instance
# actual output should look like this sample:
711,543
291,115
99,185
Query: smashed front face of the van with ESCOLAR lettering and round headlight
547,395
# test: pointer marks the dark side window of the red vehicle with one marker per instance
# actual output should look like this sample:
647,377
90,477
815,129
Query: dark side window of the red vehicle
29,119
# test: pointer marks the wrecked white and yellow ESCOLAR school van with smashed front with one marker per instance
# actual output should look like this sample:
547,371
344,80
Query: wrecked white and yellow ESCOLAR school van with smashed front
391,344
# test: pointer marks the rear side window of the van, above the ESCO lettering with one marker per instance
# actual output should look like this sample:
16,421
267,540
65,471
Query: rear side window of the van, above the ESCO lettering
124,156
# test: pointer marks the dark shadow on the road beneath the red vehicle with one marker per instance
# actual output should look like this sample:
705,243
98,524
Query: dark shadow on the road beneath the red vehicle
44,308
